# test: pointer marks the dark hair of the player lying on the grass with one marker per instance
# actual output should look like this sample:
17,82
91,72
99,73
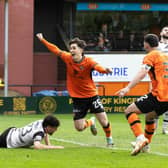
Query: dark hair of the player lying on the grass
50,120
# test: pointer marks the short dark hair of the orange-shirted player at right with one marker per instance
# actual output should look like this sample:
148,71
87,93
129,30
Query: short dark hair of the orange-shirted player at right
152,40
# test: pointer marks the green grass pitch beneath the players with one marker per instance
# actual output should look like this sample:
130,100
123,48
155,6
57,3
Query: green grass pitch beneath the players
82,150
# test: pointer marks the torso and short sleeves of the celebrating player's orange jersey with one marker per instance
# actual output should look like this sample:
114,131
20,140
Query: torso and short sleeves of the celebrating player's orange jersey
79,77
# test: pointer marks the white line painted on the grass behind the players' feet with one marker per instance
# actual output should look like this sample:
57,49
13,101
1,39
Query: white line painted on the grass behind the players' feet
89,145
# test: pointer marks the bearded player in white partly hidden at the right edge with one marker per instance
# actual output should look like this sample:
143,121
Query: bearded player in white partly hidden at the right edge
163,46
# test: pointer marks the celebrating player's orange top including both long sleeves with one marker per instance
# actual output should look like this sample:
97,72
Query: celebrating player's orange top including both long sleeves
79,75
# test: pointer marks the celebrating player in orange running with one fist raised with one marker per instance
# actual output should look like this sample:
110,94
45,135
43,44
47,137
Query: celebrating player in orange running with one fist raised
81,87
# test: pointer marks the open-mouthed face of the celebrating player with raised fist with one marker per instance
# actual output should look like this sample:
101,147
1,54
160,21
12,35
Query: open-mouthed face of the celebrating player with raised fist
76,52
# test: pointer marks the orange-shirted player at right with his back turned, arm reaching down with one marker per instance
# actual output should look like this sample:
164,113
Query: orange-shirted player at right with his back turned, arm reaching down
155,103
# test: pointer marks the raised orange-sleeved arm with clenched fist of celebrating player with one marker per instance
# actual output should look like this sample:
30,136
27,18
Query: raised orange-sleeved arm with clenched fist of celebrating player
53,48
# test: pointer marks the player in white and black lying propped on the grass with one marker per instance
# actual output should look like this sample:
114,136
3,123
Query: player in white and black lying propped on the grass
31,134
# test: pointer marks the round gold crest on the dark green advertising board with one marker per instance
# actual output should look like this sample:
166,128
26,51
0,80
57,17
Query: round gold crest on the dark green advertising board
47,105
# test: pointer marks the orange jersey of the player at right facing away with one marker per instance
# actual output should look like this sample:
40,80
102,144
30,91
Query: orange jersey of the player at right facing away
158,73
